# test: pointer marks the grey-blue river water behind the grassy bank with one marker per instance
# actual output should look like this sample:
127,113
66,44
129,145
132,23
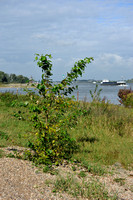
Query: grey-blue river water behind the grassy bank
109,92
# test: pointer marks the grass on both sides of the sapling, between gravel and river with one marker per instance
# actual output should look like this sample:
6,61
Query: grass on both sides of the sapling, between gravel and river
103,132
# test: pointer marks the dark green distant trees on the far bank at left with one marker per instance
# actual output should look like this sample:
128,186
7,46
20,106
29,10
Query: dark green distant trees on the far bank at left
12,78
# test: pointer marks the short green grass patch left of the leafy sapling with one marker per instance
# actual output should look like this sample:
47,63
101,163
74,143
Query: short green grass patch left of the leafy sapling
15,126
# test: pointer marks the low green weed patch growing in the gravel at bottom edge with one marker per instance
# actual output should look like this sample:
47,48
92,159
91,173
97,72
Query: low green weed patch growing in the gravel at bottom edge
90,189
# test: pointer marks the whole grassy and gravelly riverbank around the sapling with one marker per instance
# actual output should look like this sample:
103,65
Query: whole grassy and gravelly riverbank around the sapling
100,169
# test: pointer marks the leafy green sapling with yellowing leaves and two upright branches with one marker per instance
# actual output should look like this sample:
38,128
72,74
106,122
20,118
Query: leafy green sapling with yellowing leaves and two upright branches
53,143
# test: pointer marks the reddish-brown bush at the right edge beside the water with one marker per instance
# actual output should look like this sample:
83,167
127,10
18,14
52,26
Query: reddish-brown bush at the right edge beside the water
126,97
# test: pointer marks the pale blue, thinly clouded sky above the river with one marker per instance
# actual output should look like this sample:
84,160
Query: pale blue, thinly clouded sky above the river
69,30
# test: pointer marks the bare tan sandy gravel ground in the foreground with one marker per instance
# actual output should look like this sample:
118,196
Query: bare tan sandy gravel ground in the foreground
20,180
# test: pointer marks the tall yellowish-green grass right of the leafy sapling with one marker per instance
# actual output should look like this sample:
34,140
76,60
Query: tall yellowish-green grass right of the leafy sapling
105,134
